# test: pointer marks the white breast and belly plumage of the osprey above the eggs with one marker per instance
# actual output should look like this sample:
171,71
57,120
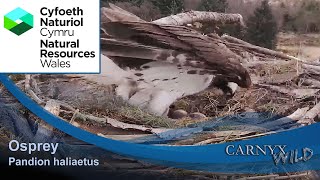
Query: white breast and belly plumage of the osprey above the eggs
151,94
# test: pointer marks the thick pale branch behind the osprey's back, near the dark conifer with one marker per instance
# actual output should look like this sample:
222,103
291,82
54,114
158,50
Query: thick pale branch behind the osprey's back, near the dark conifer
202,17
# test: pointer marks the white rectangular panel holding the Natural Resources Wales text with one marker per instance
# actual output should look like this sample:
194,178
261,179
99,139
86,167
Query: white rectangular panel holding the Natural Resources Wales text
22,54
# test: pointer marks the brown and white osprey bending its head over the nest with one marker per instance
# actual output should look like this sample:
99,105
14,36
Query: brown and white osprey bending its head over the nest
154,65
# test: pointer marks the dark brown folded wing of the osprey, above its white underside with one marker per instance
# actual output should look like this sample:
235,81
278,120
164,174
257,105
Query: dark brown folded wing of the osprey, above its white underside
136,43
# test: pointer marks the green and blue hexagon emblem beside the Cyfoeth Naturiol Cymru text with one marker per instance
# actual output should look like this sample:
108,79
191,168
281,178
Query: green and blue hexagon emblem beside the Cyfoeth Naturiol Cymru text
18,21
